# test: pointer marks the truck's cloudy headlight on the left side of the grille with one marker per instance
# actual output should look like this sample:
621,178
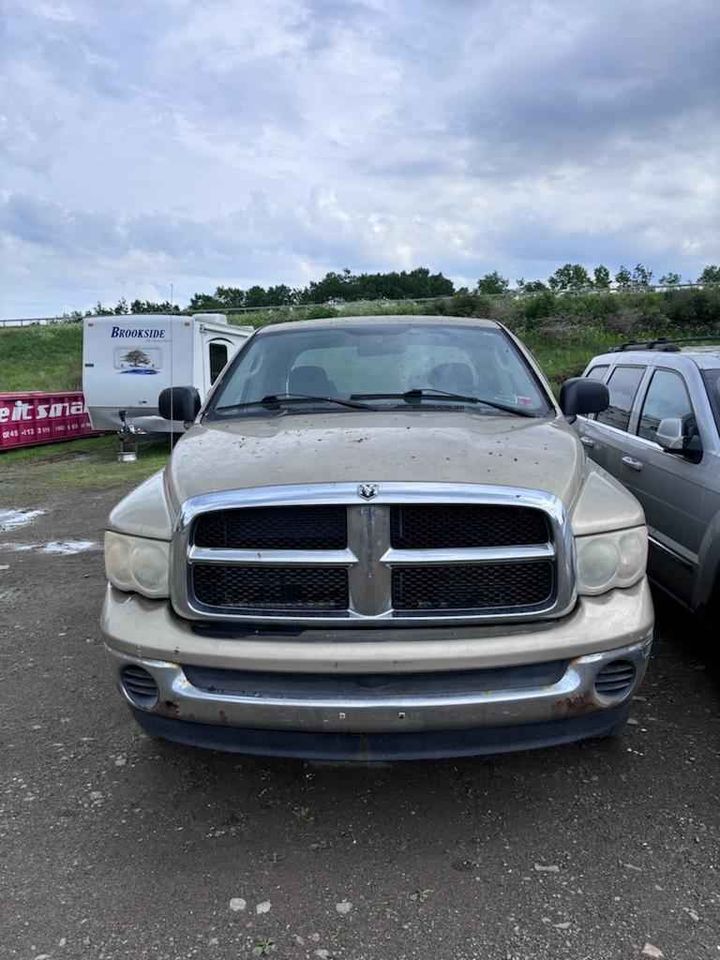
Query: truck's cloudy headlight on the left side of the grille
137,565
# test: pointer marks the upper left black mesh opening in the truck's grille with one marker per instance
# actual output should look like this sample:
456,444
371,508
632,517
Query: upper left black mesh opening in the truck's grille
322,527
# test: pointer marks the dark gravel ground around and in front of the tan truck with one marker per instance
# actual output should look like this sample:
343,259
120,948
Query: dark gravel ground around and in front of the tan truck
116,846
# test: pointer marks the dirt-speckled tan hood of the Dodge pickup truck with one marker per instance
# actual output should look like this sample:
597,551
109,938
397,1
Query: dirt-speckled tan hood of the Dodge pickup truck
452,446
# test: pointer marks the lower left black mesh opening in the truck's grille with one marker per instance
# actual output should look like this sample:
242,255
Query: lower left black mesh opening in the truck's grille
265,587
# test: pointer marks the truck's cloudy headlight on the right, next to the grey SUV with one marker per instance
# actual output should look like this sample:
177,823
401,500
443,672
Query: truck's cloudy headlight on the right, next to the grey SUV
610,560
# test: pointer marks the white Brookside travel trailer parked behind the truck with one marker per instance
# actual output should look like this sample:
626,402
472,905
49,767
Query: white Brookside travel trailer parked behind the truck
128,360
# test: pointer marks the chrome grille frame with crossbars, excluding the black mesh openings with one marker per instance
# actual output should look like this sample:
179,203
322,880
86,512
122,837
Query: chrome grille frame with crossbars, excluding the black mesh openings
369,558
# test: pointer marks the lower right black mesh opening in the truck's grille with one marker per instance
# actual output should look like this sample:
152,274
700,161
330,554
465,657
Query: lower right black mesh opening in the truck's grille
482,586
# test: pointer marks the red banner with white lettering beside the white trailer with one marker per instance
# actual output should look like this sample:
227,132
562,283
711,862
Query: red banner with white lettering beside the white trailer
30,418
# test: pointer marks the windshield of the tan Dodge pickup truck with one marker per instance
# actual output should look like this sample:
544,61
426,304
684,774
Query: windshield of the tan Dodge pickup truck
382,363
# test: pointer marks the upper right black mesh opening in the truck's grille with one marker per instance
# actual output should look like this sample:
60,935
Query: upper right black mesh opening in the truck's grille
429,526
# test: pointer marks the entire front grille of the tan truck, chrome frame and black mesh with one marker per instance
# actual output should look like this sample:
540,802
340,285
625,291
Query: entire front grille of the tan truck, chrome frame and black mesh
417,551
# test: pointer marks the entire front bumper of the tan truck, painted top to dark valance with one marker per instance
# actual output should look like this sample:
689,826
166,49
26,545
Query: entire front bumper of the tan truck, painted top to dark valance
471,691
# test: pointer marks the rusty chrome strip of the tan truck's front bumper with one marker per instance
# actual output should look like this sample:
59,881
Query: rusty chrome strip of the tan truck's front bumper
572,695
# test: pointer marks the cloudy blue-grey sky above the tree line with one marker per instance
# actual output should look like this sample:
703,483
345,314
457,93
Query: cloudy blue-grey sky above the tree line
206,142
